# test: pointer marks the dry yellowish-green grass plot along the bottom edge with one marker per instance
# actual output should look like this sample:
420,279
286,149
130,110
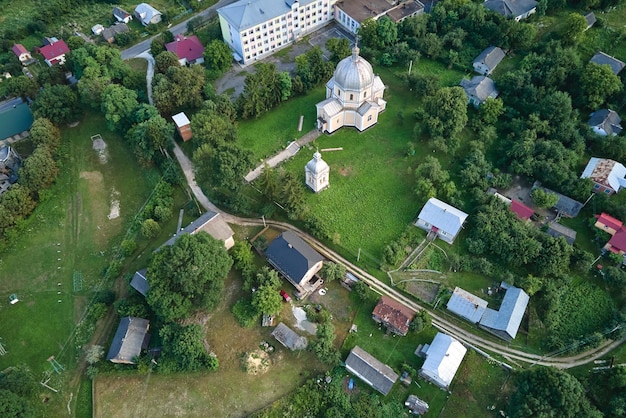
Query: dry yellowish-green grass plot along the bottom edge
227,392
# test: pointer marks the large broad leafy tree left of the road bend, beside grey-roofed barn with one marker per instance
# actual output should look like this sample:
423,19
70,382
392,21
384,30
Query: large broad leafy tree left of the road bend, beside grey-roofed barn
187,276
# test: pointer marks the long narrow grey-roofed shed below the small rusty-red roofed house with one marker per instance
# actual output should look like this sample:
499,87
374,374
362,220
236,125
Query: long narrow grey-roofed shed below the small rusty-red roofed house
371,370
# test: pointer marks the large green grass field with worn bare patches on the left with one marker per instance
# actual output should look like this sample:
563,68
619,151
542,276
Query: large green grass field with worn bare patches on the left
69,232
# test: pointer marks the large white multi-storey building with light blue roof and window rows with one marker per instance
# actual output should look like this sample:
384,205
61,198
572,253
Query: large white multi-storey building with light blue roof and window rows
254,29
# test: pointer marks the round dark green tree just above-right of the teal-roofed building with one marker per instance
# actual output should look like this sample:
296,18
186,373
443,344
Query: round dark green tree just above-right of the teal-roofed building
58,103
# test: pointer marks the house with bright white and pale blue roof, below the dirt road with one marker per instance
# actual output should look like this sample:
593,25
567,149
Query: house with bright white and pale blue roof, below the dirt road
443,358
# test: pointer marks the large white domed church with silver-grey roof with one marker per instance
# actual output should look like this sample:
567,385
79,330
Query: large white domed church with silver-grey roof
354,96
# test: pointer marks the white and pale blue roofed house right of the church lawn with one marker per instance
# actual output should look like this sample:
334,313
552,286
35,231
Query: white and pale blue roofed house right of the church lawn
441,219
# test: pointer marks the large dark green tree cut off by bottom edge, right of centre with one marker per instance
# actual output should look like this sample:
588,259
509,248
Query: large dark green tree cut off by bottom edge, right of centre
544,392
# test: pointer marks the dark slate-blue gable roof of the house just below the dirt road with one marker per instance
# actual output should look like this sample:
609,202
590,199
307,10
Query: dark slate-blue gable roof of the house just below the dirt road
292,256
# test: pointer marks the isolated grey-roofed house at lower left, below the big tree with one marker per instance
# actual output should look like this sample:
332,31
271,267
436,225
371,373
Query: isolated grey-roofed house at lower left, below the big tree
130,338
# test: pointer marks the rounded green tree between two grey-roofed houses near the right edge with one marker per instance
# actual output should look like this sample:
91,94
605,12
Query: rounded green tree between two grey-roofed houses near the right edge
598,83
